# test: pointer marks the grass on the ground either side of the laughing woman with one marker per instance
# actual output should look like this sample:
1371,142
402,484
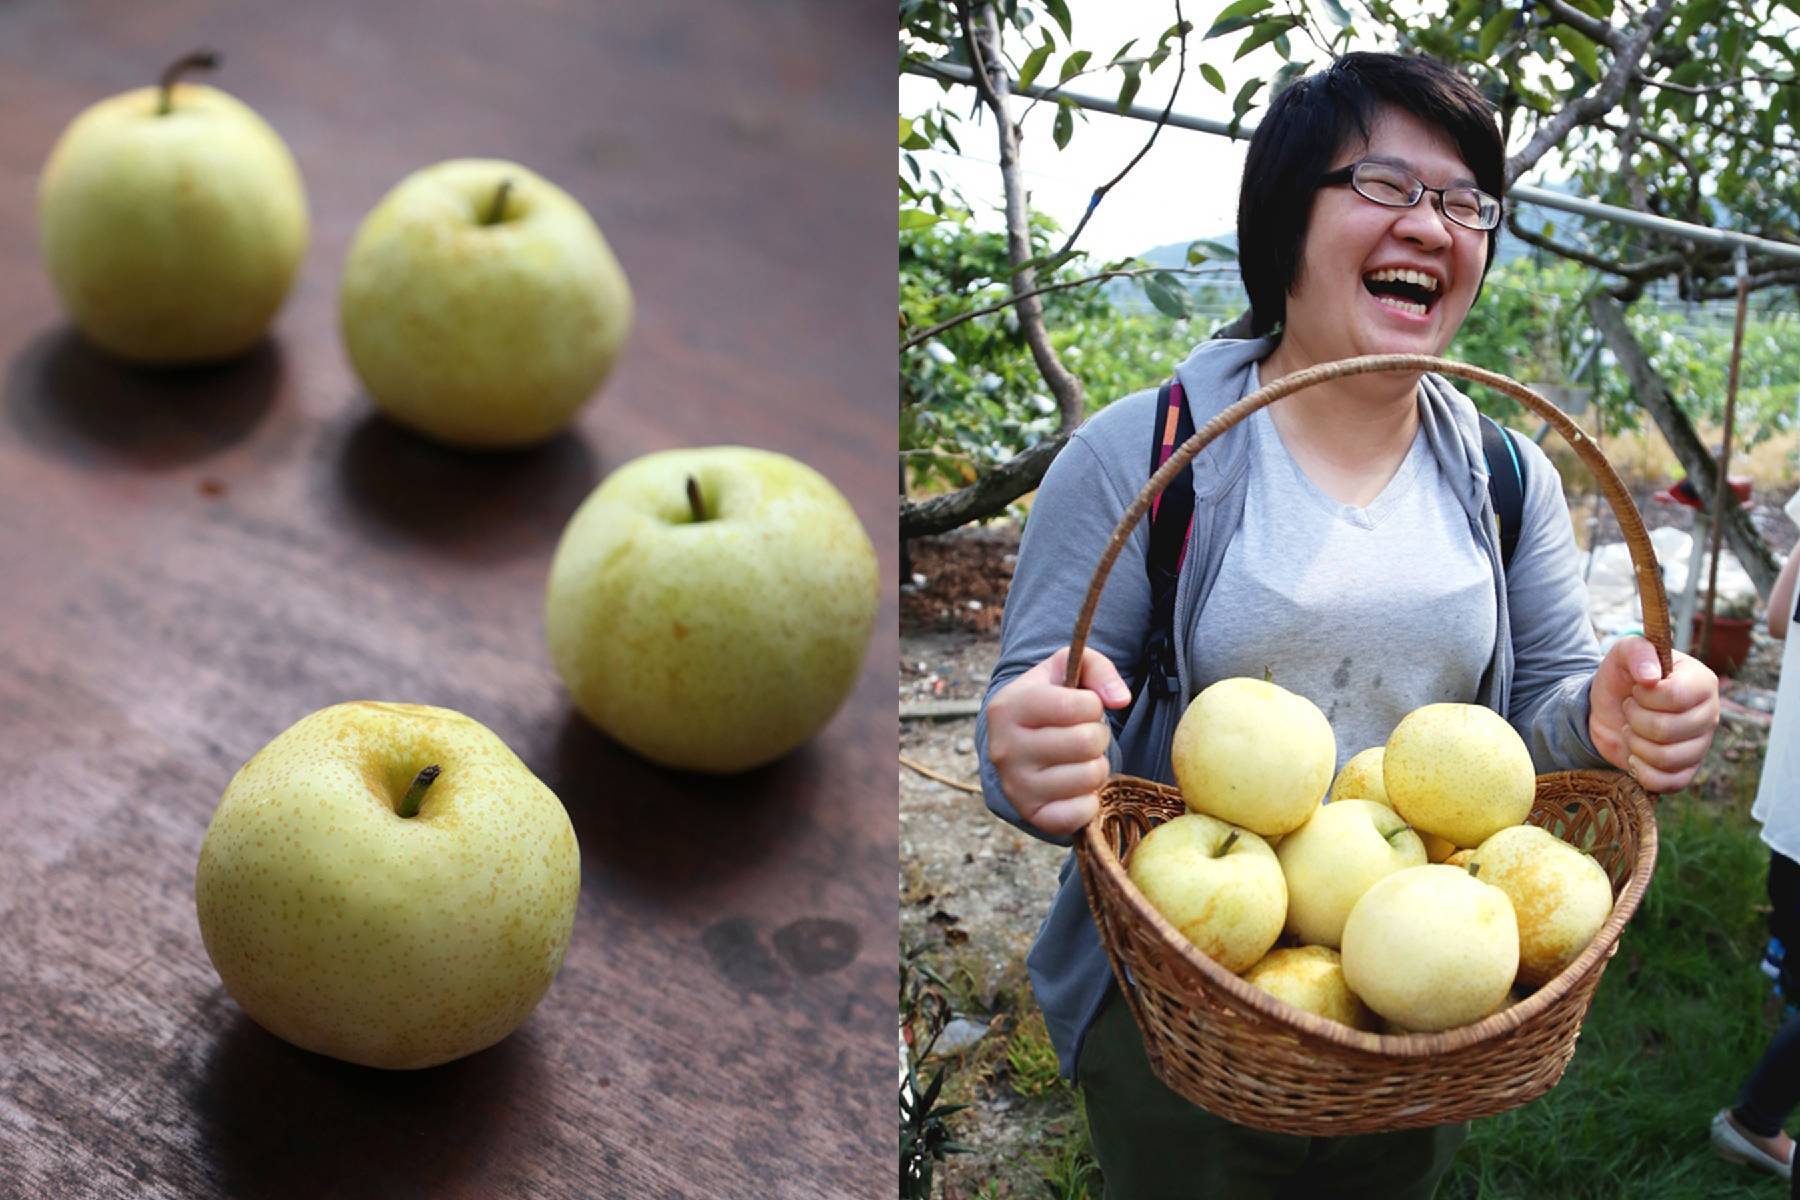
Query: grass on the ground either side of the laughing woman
1678,1021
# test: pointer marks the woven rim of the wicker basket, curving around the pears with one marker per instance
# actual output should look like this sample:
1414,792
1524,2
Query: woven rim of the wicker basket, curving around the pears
1385,1044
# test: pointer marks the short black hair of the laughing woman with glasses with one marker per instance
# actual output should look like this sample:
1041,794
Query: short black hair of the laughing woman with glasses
1311,123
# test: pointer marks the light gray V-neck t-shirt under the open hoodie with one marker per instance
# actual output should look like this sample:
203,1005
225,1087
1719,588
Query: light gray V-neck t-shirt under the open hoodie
1369,613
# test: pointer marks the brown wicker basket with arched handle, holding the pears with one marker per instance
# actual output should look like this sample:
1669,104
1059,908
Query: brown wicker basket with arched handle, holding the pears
1246,1057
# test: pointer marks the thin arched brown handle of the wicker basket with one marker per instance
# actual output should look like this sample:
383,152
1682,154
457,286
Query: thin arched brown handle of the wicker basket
1630,521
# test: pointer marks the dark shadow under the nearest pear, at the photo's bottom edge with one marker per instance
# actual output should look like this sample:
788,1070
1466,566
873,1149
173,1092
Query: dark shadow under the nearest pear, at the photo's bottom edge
282,1122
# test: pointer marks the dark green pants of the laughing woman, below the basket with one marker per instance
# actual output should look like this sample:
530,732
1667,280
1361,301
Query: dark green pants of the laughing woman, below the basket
1153,1145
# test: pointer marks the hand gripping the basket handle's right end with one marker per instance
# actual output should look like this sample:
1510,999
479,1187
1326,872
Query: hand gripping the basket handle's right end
1657,730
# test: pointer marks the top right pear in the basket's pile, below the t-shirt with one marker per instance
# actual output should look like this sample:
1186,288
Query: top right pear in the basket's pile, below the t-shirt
1459,771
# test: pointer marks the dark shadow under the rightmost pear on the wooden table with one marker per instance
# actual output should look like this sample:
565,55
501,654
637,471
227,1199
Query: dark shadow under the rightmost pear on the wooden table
661,834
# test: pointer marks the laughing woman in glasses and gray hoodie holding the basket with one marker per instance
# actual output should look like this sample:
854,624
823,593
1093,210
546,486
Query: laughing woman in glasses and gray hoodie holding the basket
1342,539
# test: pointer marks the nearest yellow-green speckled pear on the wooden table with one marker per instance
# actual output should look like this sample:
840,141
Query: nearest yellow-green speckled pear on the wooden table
388,884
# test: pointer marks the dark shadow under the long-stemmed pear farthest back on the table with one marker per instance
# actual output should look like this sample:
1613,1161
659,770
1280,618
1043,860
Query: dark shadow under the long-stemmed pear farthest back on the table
71,400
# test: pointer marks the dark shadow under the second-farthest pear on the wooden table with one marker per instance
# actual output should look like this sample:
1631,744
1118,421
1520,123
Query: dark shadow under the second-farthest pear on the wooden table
487,506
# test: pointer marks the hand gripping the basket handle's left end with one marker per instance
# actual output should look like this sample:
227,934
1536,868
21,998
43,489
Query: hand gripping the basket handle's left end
1048,742
